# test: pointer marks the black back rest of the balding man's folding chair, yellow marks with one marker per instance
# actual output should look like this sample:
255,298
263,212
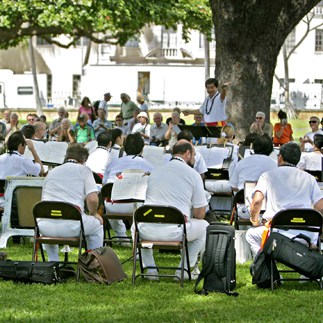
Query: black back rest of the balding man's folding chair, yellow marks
159,214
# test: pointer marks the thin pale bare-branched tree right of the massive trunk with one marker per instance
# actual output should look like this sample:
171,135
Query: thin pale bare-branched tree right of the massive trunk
287,53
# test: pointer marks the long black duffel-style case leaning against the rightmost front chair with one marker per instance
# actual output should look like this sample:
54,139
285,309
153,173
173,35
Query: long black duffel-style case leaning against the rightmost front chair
294,254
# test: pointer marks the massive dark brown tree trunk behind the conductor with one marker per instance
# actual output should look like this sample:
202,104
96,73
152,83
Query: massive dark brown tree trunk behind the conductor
249,35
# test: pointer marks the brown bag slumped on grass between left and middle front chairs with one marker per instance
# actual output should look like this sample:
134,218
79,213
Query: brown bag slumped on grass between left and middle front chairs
101,265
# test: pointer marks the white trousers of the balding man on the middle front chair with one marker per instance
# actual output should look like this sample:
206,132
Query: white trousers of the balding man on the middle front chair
196,235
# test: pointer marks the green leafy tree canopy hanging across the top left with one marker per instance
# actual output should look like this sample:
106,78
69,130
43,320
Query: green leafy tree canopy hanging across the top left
117,21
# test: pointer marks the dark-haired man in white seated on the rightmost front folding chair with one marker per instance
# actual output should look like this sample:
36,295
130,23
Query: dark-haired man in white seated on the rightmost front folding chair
284,187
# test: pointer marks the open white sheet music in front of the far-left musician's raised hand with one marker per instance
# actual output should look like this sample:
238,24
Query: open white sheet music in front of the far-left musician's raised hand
50,152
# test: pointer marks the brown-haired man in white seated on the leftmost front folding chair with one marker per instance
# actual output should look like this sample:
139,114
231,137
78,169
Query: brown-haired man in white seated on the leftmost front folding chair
73,182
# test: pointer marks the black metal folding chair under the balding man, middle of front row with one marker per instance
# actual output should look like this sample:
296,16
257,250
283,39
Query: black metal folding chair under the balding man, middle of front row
160,214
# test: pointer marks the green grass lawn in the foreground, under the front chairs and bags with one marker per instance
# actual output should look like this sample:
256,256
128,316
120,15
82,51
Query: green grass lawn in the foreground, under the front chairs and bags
150,301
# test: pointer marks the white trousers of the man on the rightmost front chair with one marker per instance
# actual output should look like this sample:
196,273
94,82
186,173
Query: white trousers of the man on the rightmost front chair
254,236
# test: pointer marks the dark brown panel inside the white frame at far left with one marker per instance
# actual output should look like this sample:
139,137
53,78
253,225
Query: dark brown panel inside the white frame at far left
26,198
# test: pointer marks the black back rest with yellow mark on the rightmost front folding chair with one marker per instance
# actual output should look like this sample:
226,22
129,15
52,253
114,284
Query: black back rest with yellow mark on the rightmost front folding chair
300,219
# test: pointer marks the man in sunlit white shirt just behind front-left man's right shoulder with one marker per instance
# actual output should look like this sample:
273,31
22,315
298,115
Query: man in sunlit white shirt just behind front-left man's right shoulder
100,158
